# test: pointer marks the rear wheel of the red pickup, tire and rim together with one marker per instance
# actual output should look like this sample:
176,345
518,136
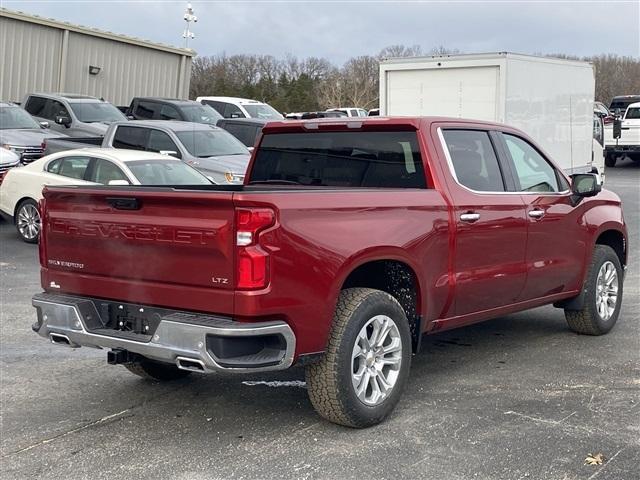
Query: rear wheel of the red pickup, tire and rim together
360,379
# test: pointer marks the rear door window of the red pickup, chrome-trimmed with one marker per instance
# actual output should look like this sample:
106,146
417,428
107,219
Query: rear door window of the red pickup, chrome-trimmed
474,161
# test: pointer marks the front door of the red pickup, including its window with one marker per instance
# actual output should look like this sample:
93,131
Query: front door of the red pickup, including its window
556,245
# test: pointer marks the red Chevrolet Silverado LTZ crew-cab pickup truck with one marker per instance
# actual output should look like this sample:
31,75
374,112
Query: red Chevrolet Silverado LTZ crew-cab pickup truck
349,240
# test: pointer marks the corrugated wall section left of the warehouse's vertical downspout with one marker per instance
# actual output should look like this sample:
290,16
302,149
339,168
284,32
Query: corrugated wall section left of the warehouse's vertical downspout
30,58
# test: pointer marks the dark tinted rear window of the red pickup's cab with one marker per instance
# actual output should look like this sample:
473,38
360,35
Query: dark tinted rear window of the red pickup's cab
340,159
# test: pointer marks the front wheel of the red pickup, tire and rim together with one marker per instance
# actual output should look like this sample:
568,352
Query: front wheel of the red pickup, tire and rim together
603,295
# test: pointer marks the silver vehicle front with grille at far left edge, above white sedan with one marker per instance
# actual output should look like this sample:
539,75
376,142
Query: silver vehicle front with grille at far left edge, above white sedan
21,134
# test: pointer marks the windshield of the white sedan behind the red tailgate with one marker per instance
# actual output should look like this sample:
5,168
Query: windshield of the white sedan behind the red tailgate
166,172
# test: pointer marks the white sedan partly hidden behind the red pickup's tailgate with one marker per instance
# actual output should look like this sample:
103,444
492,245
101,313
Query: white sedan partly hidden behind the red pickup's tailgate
21,188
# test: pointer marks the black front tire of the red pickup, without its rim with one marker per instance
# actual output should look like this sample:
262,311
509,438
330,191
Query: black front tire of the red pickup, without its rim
588,321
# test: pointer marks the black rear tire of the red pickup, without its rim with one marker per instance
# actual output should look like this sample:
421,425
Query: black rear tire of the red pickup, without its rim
329,382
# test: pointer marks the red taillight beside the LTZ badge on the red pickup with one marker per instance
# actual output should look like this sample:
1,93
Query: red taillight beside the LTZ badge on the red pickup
252,260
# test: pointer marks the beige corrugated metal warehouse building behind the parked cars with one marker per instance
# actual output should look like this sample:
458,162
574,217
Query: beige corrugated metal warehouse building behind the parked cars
43,55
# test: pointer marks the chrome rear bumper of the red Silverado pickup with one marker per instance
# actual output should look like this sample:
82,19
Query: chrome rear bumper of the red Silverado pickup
191,341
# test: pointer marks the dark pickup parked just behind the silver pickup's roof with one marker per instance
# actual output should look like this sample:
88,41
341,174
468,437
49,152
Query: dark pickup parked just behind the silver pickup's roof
151,108
